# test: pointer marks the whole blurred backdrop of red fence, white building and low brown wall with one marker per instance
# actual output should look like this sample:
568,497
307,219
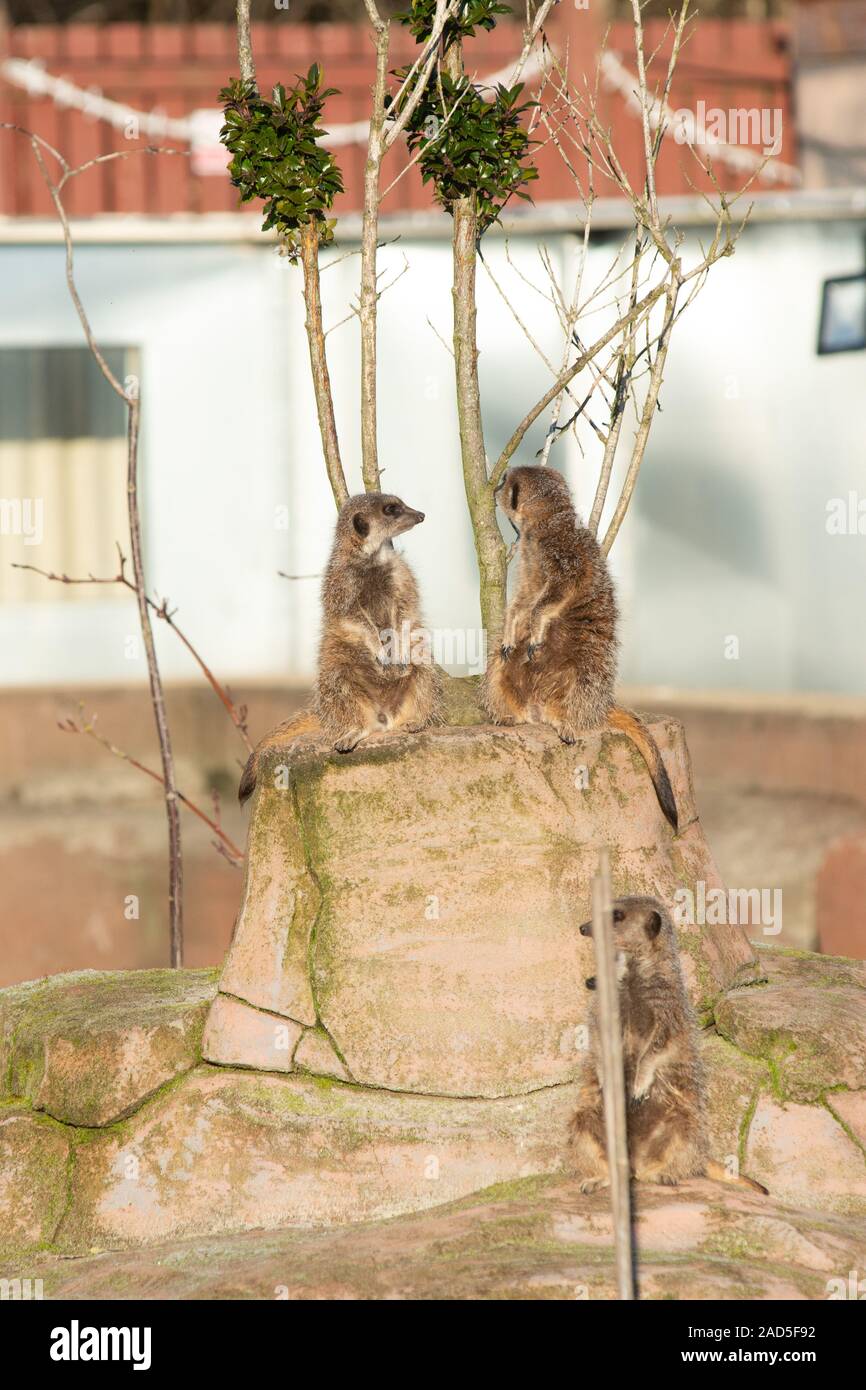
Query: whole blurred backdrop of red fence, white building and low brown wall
740,566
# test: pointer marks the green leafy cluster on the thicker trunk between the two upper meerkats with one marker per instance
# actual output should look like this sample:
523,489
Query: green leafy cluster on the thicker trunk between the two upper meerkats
480,149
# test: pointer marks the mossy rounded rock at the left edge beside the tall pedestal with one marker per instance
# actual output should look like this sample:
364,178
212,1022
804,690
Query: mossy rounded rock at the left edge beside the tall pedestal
90,1047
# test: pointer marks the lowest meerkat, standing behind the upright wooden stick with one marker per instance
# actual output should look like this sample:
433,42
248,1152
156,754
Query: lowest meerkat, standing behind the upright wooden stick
665,1084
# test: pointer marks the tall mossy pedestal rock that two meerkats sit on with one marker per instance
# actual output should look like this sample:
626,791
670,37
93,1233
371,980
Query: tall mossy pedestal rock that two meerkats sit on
418,903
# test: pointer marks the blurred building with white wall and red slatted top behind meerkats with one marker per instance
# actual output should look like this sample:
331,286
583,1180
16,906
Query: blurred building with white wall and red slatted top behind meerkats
758,443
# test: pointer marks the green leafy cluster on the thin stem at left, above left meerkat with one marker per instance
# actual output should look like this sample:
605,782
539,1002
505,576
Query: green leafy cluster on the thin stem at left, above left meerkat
276,155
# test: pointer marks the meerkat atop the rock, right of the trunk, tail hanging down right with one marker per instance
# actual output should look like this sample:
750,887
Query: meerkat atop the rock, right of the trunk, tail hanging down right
558,660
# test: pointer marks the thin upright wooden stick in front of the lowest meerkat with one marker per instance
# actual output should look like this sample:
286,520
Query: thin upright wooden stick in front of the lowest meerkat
614,1082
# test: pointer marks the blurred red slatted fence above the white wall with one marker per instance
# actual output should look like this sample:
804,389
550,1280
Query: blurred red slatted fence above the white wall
181,67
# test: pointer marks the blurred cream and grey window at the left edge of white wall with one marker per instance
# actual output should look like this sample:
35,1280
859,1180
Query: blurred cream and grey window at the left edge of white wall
63,472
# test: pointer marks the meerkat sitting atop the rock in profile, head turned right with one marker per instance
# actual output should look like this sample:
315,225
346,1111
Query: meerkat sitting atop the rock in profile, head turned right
376,671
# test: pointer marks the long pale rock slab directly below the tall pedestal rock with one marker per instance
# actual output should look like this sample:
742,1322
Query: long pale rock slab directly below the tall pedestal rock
227,1152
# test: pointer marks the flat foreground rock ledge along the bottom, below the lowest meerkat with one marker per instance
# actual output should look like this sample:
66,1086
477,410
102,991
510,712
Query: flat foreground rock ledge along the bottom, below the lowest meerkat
533,1241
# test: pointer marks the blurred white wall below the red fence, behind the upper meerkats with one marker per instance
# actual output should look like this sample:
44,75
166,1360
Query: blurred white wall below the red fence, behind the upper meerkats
728,532
